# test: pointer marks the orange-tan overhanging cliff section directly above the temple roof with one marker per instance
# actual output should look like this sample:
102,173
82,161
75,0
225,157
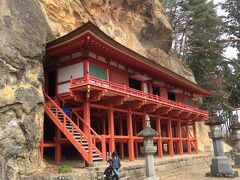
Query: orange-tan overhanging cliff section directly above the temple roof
139,25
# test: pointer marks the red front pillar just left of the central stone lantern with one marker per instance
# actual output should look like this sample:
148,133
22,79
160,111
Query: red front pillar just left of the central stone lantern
130,136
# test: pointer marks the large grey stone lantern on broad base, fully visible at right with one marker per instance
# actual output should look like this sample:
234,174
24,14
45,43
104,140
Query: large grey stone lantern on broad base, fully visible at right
220,166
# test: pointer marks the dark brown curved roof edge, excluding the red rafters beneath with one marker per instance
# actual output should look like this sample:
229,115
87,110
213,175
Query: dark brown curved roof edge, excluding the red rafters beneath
92,30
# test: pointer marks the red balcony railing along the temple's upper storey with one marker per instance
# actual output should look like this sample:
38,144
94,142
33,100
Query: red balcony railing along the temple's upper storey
130,91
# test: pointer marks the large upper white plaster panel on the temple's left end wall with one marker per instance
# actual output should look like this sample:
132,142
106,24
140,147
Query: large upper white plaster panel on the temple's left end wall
75,70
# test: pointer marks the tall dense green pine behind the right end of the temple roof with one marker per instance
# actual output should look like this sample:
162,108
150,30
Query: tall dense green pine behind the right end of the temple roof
205,28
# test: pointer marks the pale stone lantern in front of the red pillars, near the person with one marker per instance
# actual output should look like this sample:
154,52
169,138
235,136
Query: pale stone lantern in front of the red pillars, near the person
148,148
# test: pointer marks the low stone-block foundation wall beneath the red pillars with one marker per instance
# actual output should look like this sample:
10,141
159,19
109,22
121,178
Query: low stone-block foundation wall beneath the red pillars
136,171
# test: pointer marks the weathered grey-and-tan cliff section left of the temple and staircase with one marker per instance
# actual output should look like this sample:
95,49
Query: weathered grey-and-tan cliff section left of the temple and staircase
23,32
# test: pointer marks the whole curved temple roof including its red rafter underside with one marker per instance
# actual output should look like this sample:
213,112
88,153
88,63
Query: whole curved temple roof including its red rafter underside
90,36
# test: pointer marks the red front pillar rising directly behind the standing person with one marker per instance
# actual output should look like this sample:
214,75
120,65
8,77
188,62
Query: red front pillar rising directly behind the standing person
111,129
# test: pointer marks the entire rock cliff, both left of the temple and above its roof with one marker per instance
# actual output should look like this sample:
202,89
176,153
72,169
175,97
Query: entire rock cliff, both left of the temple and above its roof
25,26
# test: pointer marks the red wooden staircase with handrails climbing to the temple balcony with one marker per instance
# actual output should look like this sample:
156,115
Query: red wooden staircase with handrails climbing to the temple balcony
86,145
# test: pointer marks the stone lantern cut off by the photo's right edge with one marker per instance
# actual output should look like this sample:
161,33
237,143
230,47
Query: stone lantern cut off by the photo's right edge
235,137
